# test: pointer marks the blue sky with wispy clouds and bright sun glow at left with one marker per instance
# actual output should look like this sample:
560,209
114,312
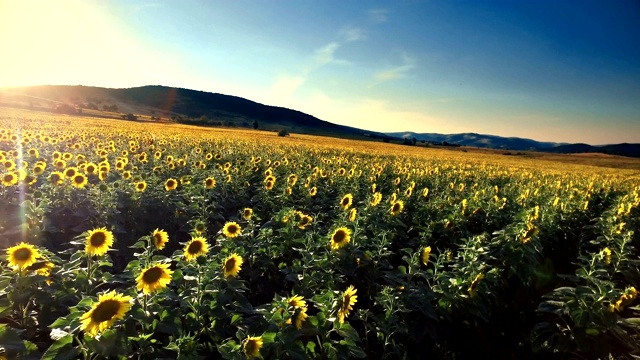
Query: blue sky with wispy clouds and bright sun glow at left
566,71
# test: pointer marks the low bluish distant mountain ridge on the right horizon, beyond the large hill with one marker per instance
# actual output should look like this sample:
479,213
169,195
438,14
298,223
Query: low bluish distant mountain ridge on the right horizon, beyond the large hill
517,144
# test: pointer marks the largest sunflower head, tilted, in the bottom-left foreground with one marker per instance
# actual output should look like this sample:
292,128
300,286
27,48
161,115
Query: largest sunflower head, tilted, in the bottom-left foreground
109,308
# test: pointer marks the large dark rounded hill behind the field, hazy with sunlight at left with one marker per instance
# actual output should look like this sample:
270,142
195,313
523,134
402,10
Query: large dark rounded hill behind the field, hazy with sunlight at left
178,104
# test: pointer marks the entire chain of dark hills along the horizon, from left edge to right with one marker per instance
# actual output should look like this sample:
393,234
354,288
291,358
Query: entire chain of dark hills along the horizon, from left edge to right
162,103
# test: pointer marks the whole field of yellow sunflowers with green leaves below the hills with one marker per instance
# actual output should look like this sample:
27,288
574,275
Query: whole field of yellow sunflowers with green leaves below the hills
137,240
